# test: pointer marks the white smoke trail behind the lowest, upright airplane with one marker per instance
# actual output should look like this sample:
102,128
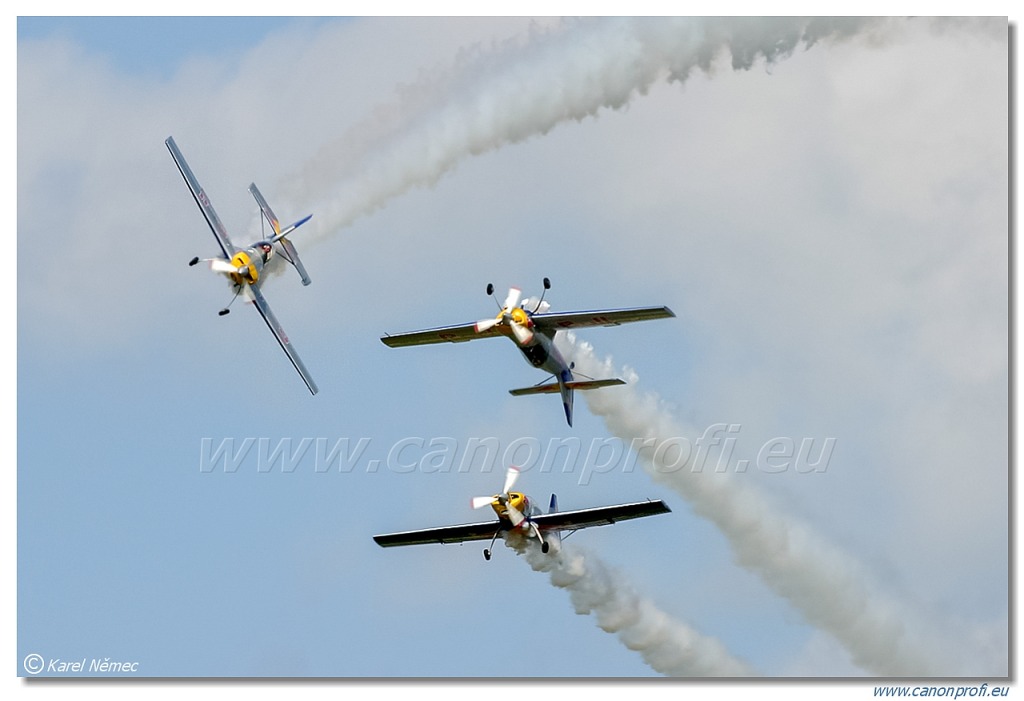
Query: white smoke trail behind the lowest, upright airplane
669,646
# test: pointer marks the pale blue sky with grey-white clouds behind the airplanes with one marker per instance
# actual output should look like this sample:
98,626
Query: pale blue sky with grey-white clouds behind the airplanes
830,231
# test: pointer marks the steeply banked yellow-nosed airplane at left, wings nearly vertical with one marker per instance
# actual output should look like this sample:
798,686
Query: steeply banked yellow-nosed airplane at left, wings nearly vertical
244,267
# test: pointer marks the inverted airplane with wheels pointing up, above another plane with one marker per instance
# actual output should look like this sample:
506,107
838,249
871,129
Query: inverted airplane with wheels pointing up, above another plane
533,330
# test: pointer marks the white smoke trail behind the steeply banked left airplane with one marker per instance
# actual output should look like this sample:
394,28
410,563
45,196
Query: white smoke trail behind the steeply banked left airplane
527,89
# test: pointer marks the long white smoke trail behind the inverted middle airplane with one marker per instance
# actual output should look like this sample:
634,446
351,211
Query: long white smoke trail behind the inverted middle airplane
829,588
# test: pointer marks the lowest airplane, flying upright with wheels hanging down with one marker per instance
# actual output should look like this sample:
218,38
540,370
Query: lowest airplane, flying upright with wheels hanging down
517,514
